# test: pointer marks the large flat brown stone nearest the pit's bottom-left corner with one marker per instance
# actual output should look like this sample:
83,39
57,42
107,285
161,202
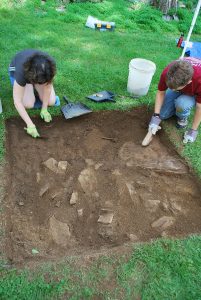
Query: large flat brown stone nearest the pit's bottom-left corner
59,231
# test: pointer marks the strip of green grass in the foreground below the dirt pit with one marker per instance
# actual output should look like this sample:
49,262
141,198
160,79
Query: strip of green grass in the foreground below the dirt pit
163,269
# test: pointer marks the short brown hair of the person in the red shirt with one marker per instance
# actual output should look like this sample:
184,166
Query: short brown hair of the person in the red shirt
179,74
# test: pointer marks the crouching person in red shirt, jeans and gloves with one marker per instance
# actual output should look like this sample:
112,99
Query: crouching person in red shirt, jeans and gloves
179,90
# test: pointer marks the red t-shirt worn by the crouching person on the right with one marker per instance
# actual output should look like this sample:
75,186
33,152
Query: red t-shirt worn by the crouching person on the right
193,88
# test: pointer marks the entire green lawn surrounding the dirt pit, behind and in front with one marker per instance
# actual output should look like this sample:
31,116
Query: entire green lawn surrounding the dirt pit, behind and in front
89,61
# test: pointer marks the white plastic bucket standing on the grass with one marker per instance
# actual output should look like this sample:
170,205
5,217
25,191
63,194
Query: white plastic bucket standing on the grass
140,75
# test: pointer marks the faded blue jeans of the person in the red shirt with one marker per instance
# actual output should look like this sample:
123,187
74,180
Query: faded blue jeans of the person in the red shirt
176,103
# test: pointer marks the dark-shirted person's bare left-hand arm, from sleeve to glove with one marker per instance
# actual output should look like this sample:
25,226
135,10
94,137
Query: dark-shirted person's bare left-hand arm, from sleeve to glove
18,93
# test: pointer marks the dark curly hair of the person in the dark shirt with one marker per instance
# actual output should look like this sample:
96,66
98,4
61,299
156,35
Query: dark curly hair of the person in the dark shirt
39,68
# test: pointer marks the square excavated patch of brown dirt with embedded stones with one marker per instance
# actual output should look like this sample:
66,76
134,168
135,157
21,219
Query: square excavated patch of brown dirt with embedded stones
90,185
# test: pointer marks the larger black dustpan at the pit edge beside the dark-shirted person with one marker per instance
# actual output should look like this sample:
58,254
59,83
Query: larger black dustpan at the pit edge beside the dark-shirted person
73,110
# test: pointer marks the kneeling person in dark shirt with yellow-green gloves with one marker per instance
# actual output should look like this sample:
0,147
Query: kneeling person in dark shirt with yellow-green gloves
31,75
